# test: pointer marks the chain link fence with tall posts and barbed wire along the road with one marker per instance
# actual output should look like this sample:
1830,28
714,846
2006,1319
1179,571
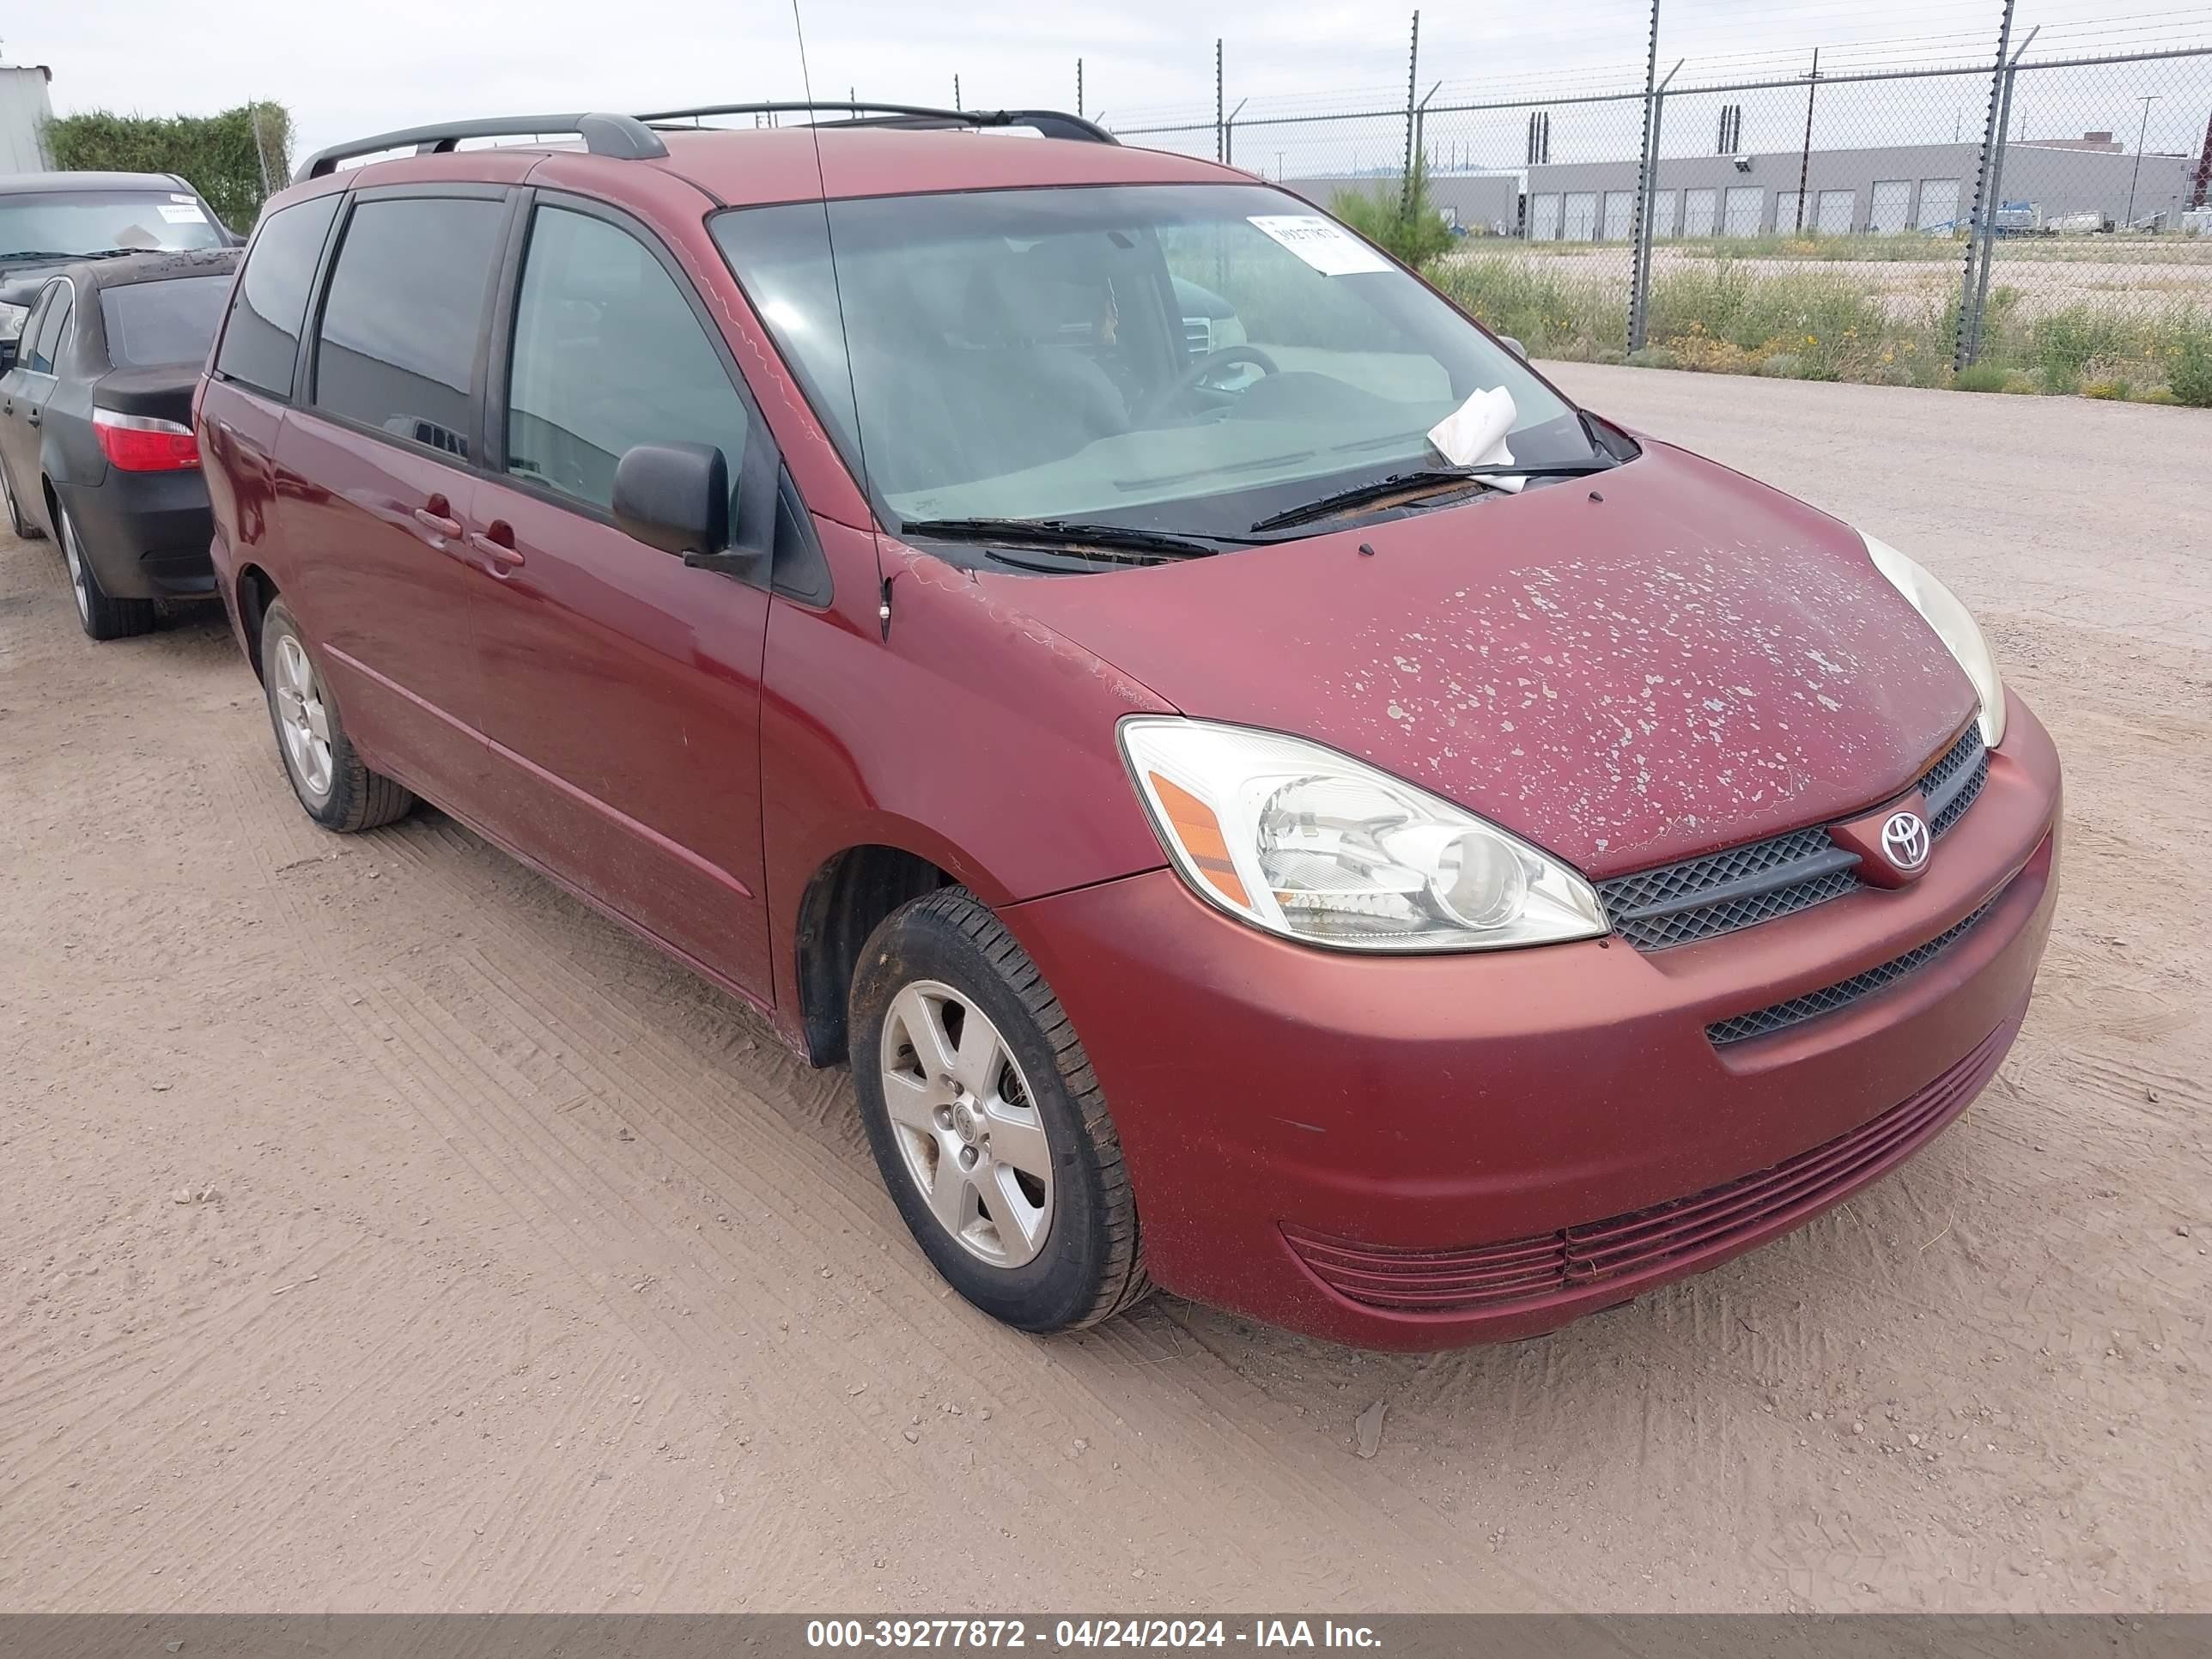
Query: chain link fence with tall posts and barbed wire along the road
2025,225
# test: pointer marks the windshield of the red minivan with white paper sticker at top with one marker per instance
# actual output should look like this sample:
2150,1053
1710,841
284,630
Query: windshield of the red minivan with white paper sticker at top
1178,357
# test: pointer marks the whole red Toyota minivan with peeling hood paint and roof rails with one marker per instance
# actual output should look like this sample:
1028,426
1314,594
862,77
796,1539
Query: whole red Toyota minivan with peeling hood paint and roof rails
1269,797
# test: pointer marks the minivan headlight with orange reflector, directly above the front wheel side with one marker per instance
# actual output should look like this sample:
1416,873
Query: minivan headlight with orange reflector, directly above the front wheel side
1322,848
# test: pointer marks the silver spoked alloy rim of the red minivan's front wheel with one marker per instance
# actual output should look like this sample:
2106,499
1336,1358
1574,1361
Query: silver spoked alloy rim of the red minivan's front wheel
968,1125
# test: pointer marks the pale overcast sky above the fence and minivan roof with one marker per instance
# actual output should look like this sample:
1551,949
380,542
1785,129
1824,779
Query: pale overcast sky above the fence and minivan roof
359,70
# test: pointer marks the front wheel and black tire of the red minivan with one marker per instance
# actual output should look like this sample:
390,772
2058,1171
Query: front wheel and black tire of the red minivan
988,1123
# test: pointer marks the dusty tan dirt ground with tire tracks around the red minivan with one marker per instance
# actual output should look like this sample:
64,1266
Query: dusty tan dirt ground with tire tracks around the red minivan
384,1231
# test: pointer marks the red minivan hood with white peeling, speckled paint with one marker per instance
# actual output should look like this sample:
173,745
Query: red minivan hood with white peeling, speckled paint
1629,669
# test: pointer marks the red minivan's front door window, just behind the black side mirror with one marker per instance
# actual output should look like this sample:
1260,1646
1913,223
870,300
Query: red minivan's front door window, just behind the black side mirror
607,355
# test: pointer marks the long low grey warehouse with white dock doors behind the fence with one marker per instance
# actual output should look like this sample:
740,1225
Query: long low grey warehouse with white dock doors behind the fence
1903,187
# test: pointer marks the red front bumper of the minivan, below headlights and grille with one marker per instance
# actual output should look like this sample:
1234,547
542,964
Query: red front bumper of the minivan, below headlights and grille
1426,1129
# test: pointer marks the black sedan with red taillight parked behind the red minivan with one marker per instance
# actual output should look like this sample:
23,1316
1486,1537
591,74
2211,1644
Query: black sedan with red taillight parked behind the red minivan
96,430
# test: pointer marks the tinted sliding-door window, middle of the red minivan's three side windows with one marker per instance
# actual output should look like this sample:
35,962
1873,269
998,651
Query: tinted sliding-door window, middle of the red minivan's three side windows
397,348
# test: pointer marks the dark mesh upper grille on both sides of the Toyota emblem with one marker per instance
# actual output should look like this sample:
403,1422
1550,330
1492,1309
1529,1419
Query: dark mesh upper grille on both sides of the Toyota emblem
1764,879
